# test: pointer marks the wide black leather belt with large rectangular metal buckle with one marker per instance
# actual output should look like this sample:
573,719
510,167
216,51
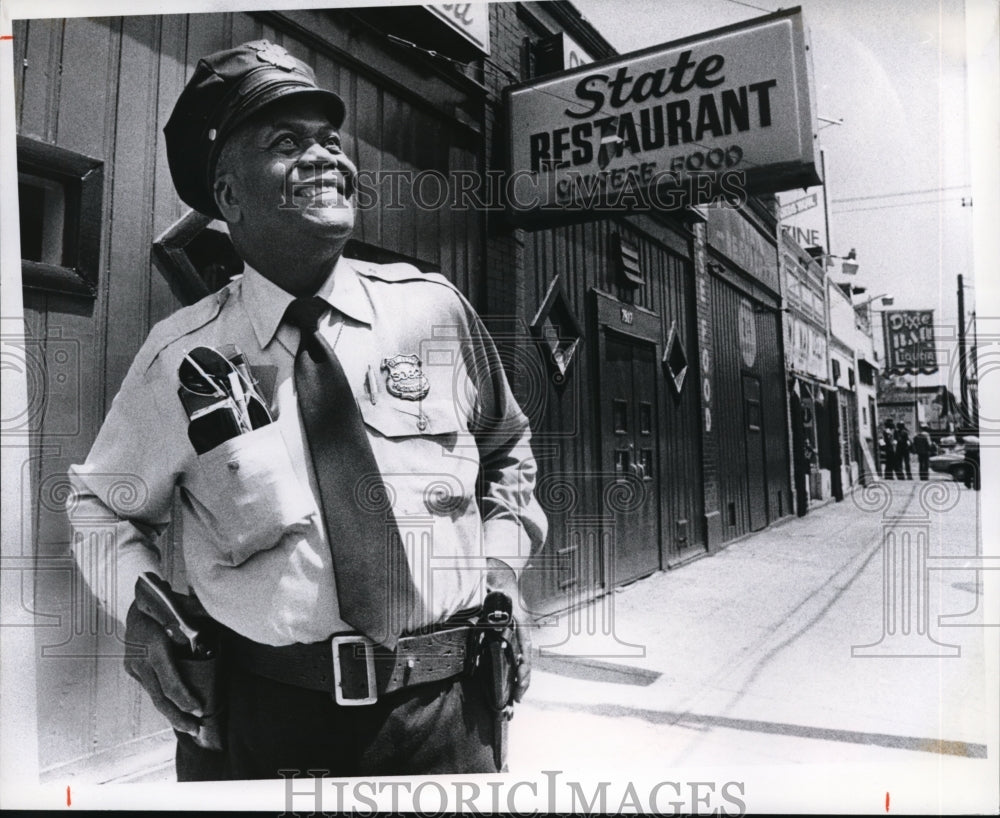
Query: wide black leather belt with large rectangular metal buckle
352,668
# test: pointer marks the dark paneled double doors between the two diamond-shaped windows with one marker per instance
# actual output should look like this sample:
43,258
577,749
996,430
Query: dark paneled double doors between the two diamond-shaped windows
629,442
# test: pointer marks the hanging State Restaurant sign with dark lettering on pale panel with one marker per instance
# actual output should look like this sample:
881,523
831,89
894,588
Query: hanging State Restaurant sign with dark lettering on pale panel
720,115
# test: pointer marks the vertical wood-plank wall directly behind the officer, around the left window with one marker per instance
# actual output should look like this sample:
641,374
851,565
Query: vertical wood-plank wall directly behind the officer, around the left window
105,88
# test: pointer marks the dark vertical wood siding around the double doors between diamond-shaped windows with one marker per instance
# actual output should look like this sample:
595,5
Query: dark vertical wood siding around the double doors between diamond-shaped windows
565,417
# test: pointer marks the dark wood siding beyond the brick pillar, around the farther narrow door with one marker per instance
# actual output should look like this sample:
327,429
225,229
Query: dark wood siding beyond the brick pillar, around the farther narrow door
729,417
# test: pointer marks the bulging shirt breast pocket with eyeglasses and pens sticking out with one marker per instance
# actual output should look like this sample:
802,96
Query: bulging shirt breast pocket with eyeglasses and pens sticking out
249,491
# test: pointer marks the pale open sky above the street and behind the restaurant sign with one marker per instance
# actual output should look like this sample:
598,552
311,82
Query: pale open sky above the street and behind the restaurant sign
893,74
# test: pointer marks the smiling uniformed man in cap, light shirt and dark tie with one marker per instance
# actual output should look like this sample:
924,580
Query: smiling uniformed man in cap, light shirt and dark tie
341,549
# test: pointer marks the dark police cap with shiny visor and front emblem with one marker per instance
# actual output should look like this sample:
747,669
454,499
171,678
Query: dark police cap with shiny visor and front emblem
225,89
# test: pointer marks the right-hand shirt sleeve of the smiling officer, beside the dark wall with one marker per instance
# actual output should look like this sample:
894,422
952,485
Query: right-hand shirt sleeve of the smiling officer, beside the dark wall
514,524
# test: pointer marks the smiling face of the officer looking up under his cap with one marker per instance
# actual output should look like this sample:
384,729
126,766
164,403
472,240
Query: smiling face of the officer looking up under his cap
284,184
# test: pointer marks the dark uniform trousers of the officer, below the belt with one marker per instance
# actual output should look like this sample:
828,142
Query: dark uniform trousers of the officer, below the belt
437,728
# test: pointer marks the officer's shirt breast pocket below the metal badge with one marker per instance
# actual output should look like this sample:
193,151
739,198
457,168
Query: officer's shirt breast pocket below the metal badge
429,461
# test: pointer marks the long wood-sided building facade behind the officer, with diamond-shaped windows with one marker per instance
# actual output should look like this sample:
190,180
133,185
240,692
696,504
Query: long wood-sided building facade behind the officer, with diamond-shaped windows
646,349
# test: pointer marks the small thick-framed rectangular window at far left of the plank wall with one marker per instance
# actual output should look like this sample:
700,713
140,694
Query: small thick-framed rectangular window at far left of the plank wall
60,196
